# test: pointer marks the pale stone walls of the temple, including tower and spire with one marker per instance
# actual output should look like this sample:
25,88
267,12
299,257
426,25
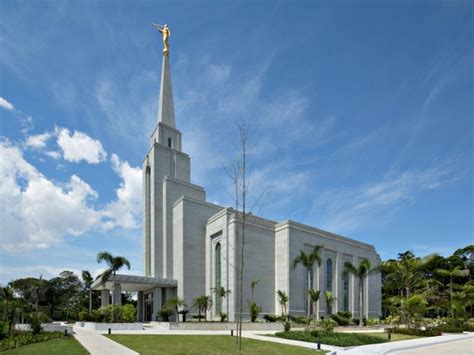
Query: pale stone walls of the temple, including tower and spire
183,234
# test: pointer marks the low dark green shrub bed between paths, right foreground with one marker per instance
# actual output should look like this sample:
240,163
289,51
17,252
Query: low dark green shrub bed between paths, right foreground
331,338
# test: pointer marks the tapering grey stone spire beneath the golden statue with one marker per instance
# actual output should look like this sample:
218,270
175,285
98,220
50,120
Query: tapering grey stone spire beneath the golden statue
165,103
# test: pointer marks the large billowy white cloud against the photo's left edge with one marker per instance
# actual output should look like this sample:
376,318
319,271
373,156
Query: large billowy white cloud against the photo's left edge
35,212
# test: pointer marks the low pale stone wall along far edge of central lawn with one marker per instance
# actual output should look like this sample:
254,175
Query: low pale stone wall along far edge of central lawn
223,326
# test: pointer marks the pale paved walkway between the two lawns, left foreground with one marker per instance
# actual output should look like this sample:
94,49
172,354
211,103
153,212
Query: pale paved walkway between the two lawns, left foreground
97,344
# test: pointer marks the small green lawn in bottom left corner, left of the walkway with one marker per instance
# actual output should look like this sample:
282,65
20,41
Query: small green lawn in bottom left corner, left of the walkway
69,346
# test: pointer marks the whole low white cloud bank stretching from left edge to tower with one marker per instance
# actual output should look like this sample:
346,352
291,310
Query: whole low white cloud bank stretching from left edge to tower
36,212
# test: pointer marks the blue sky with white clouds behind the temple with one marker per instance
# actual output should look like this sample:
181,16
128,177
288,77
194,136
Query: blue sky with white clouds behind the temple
362,119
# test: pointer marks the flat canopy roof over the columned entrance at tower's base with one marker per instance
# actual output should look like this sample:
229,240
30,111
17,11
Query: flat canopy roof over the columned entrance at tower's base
133,283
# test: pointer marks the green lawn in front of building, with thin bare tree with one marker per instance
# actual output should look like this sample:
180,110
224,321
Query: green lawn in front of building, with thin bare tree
203,344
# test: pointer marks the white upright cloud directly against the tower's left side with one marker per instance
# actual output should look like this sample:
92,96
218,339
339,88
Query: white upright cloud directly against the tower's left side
126,210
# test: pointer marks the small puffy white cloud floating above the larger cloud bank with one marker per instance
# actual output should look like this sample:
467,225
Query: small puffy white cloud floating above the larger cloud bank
79,146
